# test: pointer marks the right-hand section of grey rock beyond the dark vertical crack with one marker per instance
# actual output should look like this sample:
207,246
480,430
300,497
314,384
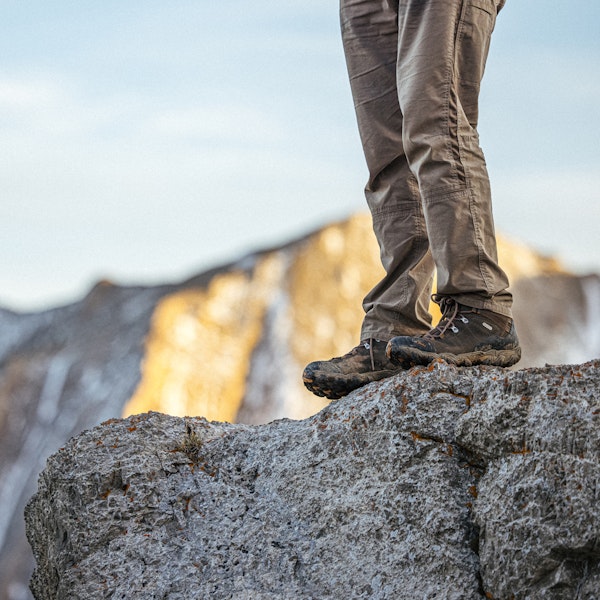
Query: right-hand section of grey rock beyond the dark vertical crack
538,506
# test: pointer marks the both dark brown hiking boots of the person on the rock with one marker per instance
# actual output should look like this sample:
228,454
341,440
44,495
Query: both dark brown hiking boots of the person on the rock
464,336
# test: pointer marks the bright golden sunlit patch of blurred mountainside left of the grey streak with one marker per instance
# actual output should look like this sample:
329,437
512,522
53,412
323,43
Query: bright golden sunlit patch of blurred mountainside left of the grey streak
199,348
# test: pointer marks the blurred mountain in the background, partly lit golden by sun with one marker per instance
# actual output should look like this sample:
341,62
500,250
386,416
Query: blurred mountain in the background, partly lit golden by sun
228,345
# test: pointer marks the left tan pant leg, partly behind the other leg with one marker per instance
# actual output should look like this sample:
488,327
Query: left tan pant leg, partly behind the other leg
398,305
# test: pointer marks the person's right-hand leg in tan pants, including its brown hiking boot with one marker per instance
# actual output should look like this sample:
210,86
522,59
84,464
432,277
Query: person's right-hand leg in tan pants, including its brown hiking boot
442,56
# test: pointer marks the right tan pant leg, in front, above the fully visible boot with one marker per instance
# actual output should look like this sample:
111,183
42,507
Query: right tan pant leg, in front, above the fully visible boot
442,50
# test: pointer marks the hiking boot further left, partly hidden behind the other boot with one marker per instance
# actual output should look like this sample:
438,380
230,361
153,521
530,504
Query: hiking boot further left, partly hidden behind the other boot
337,377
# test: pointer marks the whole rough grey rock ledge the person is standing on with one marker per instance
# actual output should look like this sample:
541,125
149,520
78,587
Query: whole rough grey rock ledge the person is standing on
448,483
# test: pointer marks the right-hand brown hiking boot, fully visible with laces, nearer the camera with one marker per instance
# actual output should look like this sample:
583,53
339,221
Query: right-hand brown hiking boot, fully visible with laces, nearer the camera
464,337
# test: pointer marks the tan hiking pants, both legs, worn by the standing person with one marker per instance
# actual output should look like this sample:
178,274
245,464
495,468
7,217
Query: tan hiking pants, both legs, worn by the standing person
415,68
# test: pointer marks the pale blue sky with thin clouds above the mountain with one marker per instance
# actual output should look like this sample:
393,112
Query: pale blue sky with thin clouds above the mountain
145,141
